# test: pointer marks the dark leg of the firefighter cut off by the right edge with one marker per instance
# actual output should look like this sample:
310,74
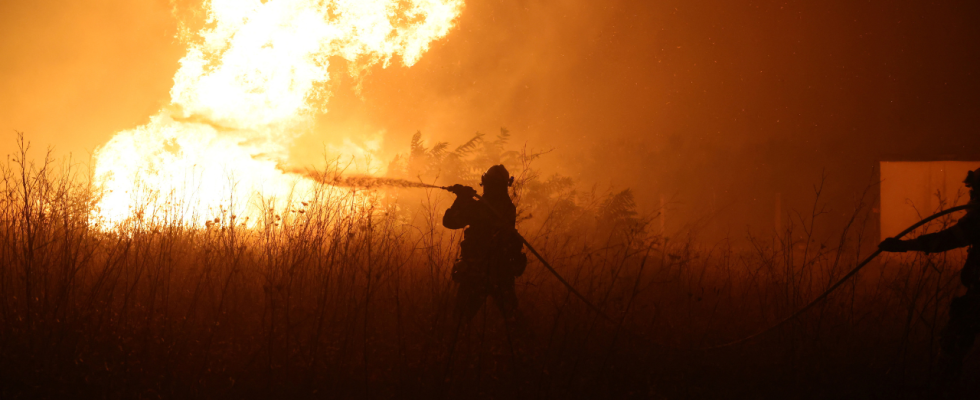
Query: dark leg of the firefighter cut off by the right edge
958,337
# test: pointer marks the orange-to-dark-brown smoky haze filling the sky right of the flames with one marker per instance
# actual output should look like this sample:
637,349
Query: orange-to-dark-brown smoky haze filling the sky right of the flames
712,110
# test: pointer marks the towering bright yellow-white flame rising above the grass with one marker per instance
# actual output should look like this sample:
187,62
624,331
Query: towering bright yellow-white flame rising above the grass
248,85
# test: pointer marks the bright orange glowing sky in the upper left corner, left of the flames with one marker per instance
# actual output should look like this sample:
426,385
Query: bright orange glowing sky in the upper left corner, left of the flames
74,73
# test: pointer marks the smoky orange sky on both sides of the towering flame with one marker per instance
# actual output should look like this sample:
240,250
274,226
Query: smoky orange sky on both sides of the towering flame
712,103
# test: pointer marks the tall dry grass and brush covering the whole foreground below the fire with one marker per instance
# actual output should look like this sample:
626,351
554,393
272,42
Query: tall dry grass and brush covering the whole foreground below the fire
350,297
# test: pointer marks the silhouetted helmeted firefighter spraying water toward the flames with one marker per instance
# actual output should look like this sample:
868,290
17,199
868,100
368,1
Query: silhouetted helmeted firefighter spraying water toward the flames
491,254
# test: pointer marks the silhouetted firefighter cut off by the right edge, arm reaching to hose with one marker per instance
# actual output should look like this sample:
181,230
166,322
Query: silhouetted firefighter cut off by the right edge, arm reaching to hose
964,311
